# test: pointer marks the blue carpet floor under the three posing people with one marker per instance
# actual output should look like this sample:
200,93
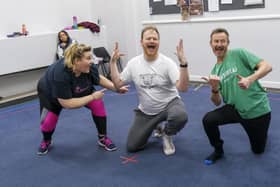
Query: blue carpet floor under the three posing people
76,160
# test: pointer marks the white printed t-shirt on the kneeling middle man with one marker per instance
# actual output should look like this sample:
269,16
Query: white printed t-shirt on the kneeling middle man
155,82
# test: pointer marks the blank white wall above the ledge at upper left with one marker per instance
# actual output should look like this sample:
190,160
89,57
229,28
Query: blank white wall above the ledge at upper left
41,16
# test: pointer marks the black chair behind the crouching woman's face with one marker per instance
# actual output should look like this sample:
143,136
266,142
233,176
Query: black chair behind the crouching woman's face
102,53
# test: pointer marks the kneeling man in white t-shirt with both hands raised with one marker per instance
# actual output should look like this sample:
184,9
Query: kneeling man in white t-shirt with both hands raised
157,79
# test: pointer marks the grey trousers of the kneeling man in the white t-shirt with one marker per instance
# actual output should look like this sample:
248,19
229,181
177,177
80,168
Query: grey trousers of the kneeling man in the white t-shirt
174,115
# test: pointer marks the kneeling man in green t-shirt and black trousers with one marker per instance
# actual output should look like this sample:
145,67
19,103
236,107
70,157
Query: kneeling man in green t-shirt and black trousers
234,79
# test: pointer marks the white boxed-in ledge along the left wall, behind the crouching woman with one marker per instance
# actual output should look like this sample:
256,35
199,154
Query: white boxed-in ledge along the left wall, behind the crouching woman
29,56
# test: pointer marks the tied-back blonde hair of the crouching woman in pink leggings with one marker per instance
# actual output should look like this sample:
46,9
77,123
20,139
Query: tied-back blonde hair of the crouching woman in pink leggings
74,52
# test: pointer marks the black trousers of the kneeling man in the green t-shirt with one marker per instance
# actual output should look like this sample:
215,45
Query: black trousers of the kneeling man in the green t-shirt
256,128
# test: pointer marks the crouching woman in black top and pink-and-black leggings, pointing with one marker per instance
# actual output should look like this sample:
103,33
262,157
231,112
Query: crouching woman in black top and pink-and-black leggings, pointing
69,83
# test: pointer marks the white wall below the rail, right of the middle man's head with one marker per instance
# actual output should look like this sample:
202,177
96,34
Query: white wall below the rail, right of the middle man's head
248,34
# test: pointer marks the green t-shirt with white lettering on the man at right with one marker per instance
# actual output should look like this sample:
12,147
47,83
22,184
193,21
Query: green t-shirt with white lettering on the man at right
250,103
